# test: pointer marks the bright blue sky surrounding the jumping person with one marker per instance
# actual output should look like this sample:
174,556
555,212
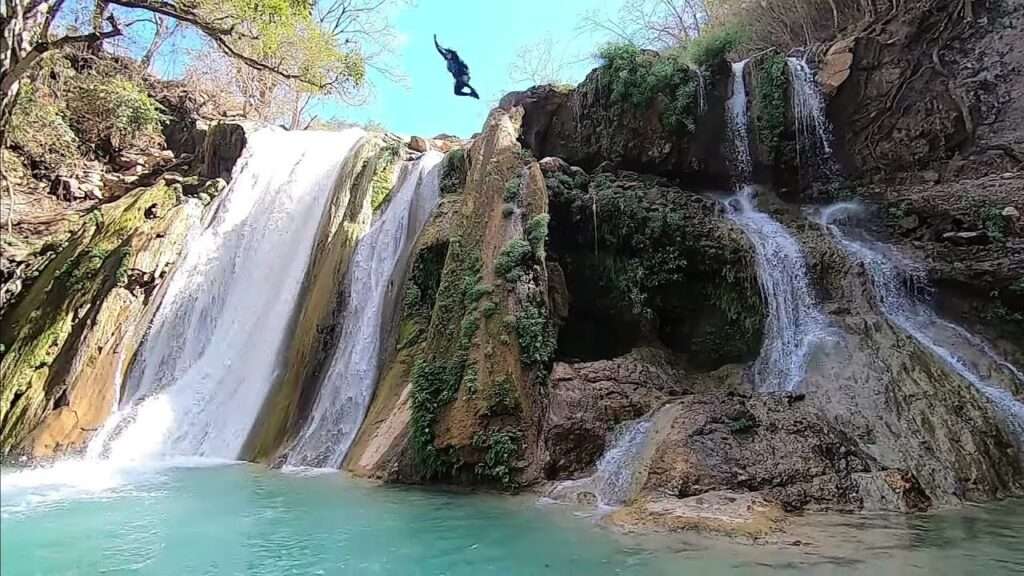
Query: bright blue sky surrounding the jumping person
488,35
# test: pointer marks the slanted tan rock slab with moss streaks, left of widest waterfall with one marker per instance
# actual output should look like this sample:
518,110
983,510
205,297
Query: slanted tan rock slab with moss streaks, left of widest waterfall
69,337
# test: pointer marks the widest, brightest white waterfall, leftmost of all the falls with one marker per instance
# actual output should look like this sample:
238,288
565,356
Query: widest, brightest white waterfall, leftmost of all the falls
212,352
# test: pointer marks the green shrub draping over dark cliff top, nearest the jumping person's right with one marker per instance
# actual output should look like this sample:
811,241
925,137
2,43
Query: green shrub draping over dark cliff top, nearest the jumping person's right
636,78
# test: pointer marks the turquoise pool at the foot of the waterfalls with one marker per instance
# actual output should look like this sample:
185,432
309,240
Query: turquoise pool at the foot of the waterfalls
247,520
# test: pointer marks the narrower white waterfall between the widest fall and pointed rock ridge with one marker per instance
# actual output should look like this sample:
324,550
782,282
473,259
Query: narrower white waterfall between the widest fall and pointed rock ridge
349,387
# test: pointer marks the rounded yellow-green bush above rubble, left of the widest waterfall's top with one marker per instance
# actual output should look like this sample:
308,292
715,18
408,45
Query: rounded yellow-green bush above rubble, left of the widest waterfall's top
114,112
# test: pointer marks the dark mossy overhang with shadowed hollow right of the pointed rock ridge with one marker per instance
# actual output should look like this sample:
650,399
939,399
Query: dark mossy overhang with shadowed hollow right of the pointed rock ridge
660,264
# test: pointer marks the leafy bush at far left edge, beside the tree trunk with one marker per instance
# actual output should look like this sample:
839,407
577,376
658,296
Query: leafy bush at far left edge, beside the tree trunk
39,129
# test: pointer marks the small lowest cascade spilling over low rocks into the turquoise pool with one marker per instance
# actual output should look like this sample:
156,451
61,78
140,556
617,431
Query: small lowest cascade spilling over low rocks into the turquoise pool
620,472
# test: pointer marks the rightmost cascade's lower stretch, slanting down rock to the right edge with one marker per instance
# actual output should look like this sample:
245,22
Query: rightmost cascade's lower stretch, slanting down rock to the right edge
899,283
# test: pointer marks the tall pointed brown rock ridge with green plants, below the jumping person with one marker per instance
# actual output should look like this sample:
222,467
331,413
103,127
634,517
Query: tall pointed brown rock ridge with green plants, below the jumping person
460,400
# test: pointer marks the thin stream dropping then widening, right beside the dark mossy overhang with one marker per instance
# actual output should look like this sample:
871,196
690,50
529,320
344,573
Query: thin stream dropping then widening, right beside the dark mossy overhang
795,323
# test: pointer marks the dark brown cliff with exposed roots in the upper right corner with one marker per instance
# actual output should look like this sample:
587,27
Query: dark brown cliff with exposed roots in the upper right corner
952,103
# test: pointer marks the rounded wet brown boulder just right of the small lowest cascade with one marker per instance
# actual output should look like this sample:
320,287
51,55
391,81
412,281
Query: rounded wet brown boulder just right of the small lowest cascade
774,445
